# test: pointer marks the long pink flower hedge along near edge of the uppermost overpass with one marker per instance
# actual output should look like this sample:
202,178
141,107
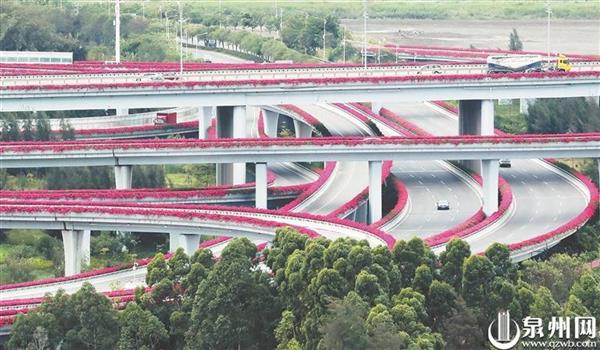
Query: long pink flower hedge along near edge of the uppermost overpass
422,79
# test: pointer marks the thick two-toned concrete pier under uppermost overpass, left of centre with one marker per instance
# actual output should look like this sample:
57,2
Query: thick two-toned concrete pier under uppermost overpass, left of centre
231,123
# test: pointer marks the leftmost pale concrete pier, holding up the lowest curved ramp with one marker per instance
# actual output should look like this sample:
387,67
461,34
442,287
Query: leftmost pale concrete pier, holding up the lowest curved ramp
76,245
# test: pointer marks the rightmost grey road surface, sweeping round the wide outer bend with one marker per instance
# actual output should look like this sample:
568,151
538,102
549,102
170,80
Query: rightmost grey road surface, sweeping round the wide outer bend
544,199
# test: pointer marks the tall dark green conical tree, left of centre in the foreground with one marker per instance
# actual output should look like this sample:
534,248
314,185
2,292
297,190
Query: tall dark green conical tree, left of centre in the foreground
234,306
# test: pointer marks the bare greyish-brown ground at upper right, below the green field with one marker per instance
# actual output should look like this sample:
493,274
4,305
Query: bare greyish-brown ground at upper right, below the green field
569,36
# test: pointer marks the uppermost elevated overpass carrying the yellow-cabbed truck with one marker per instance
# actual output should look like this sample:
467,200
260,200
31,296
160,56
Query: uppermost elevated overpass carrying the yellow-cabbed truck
259,90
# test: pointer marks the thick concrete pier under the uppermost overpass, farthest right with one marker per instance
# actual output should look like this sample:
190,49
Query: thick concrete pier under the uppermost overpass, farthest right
475,117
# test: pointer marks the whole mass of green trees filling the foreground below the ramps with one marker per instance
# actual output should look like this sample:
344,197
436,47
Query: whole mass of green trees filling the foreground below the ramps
321,294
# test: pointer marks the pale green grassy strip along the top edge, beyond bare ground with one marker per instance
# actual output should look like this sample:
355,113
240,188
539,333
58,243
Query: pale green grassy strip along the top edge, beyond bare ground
263,14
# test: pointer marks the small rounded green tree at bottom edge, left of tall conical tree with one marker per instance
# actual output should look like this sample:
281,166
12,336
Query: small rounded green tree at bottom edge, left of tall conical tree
140,329
